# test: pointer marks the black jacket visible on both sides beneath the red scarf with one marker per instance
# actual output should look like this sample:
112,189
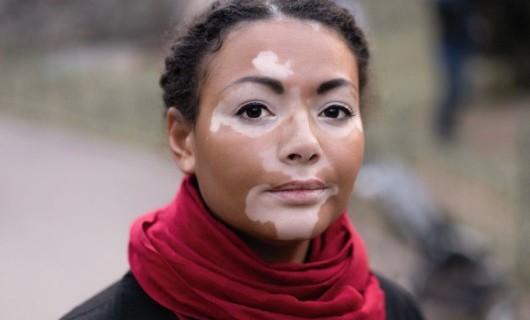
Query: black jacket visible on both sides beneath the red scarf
125,300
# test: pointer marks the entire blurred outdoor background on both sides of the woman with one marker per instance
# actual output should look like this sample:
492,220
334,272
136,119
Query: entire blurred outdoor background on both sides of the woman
442,202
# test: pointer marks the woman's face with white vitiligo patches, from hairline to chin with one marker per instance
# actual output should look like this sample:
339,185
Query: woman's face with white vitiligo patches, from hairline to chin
279,140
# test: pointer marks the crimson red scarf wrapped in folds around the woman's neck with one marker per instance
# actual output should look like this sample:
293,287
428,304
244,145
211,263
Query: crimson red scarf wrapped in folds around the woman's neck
193,264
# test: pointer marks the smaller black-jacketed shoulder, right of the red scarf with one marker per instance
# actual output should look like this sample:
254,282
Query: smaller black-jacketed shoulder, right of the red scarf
399,303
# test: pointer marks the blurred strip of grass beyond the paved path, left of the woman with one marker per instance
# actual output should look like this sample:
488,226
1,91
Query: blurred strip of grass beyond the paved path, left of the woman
110,91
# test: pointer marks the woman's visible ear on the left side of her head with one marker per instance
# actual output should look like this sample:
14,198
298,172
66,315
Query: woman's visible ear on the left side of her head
181,142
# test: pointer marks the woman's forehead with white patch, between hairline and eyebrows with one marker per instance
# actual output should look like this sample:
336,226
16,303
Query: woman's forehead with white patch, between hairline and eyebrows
281,45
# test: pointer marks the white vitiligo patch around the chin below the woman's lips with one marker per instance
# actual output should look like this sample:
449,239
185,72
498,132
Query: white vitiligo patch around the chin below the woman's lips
290,222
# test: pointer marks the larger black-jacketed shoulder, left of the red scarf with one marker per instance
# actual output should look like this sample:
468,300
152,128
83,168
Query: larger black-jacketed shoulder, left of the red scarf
124,299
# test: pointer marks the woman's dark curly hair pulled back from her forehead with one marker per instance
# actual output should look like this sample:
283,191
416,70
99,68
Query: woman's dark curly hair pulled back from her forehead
184,68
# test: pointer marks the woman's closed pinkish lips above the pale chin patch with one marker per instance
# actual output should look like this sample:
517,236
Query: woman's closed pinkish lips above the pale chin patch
305,192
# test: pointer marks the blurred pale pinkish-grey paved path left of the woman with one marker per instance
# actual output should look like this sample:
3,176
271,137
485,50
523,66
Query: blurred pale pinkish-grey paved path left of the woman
66,204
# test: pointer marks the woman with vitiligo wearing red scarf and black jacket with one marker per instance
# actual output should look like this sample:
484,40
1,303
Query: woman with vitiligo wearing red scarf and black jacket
263,106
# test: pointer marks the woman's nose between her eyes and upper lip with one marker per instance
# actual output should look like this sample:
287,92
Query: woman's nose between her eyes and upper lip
299,144
